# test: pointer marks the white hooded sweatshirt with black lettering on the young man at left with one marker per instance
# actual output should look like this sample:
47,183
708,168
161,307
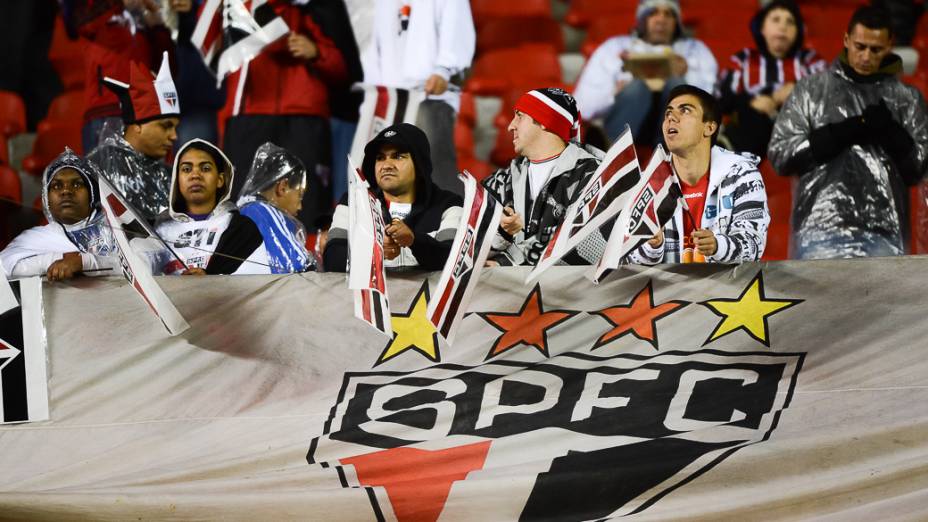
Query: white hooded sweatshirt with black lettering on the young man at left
217,235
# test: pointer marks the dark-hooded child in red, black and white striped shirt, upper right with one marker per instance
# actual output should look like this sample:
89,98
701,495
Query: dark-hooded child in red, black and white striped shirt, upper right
759,80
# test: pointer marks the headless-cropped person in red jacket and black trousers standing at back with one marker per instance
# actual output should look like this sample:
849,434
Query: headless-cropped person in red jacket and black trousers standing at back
282,96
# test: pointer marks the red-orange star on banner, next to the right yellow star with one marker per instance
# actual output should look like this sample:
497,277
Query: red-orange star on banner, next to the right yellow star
638,318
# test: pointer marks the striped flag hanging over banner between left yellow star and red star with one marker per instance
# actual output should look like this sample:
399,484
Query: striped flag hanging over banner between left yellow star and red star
468,254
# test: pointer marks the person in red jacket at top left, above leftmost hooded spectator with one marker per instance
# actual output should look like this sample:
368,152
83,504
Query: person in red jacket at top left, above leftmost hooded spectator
118,32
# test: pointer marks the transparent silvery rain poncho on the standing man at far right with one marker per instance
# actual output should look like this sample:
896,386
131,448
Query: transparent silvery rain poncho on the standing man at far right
854,204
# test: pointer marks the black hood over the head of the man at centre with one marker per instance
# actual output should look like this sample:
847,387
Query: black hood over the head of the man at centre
409,138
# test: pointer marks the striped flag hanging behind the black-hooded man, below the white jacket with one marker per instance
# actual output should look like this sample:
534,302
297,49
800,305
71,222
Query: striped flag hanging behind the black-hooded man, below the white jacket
382,107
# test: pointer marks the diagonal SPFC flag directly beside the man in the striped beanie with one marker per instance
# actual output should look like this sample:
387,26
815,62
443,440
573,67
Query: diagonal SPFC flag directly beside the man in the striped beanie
600,200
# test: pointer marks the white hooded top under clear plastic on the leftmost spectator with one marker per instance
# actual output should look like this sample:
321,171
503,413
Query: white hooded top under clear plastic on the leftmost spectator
33,251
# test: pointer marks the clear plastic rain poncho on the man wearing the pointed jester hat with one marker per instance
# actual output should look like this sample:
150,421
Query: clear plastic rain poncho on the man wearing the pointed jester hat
144,181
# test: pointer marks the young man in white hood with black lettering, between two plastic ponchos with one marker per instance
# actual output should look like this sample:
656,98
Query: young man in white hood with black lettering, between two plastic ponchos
201,223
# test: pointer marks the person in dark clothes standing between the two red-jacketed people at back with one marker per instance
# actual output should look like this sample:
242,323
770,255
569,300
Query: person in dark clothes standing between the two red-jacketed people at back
195,83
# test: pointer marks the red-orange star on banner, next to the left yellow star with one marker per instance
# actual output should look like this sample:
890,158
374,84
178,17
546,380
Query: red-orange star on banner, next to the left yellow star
528,326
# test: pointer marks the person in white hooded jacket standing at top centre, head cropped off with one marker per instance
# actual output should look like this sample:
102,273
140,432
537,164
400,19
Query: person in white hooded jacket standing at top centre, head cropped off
425,44
